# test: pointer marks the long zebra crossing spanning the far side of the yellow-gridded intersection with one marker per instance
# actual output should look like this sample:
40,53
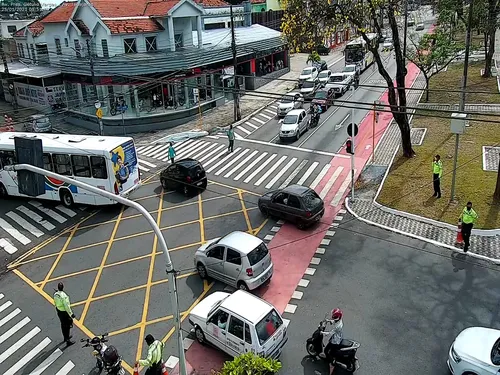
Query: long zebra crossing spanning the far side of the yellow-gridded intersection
256,169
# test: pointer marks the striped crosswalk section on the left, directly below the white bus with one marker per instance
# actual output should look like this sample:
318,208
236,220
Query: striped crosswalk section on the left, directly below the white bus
30,221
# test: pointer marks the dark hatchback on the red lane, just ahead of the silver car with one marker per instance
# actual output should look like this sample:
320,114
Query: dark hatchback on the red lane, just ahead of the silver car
295,203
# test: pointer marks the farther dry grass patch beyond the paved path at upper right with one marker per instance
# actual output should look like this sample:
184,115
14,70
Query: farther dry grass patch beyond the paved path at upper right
451,80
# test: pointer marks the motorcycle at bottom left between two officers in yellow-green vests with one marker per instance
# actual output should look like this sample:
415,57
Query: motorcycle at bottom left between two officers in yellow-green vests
107,357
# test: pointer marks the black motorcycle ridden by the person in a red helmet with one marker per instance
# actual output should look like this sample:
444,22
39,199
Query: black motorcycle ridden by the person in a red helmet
344,357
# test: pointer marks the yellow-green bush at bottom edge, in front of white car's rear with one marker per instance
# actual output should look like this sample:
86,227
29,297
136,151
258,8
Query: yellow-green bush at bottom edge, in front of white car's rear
250,364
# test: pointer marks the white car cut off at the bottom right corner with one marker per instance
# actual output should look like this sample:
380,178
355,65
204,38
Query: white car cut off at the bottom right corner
475,351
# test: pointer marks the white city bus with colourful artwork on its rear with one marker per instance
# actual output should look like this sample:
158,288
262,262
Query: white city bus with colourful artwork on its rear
108,163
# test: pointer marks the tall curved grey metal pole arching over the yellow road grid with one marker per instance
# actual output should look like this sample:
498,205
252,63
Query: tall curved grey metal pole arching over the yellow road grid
127,202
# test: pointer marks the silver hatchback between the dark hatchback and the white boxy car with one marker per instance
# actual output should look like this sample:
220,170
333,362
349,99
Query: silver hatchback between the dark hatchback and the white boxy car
237,259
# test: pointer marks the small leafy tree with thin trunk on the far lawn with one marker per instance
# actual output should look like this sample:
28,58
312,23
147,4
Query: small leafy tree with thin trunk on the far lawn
433,53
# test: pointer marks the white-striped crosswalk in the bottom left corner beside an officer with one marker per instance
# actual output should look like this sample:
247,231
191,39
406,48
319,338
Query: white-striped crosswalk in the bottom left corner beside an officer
23,350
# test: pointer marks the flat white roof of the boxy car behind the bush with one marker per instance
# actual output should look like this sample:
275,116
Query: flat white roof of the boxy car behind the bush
248,306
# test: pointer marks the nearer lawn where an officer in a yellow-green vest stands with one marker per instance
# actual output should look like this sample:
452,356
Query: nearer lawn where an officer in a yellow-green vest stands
408,186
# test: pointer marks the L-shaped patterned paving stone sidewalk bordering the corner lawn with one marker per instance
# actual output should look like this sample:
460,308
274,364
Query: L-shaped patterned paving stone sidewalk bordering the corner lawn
369,183
